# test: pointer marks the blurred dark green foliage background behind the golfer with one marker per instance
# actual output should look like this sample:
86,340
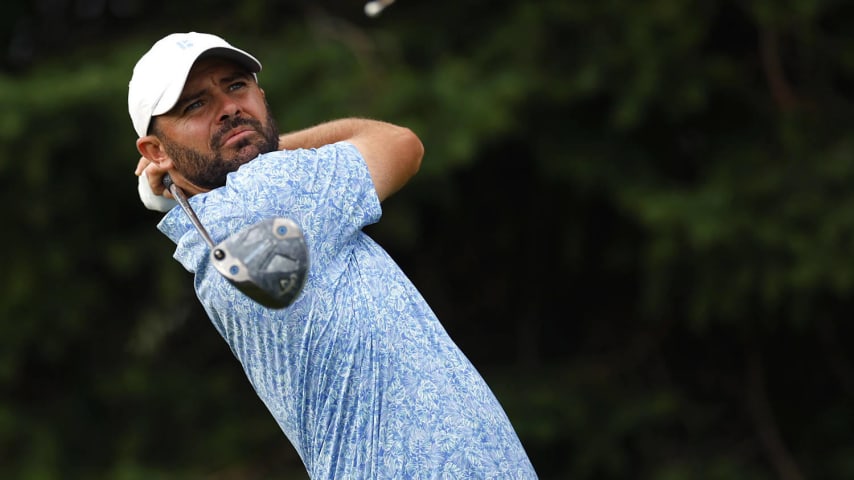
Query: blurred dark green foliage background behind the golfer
635,217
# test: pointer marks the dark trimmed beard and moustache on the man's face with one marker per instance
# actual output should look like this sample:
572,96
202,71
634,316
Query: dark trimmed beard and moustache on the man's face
210,170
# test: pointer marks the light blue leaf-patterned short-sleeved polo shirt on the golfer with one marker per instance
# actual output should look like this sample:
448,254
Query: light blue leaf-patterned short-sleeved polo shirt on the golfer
358,372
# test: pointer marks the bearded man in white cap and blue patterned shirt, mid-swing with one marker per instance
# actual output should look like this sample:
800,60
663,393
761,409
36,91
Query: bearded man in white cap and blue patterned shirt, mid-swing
358,371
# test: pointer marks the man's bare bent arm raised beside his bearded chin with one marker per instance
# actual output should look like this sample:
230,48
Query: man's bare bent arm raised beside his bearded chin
392,153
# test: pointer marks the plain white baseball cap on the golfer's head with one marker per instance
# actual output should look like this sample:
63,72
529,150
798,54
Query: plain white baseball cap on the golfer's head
159,76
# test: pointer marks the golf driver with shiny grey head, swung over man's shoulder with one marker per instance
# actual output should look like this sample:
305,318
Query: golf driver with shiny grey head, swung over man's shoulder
267,261
